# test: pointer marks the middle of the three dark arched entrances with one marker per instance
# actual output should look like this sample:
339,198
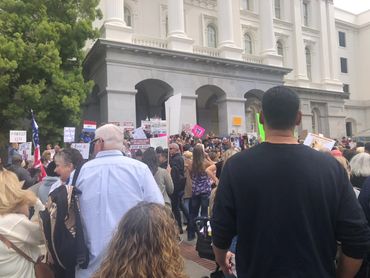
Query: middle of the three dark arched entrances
208,110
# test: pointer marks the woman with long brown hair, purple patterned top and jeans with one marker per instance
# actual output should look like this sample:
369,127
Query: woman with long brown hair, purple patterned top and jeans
201,188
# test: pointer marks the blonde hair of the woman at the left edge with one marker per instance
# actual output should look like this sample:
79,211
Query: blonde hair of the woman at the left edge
11,194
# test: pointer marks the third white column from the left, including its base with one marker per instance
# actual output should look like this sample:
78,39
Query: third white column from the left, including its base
226,32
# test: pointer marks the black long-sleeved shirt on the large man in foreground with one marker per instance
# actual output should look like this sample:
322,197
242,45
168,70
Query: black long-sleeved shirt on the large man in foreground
289,205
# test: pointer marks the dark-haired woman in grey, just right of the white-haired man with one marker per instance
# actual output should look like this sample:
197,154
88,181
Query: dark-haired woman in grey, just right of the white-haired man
161,176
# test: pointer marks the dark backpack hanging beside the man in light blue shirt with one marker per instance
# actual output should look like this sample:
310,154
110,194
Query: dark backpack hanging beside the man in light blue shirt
62,228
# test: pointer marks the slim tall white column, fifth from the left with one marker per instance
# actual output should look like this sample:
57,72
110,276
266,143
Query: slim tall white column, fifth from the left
299,49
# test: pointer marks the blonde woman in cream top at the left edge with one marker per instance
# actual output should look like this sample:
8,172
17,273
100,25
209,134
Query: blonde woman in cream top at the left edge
16,227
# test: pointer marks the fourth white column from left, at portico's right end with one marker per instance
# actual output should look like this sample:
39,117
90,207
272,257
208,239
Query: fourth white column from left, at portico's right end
268,40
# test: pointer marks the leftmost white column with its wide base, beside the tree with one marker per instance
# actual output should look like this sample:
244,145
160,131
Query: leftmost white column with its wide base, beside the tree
114,27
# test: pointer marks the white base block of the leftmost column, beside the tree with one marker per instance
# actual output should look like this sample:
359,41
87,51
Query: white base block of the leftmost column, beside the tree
117,31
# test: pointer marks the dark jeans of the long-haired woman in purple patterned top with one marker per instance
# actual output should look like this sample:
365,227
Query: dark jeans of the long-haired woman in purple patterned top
197,201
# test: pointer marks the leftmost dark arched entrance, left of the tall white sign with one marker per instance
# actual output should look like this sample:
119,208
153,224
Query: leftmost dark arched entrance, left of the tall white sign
150,98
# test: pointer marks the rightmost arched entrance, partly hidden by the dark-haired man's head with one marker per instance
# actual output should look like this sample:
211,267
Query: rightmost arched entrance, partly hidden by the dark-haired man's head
253,105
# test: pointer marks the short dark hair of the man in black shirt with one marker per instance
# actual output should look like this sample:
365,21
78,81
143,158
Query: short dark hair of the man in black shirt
280,106
